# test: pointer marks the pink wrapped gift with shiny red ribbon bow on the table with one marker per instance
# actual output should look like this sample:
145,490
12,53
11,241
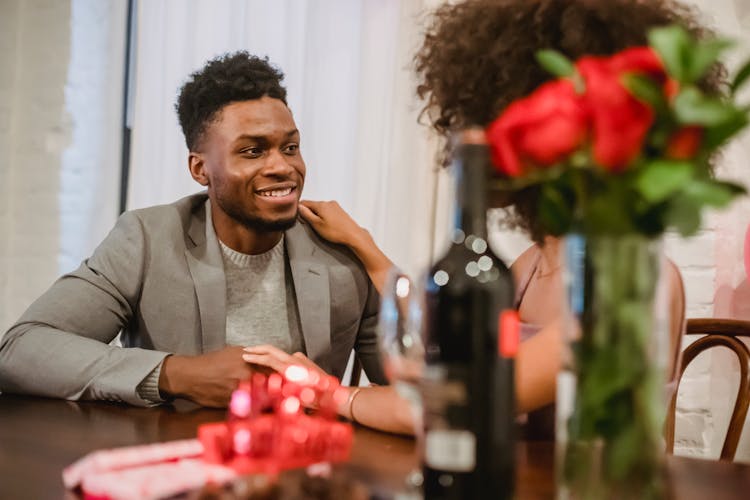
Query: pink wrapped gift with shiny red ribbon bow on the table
266,432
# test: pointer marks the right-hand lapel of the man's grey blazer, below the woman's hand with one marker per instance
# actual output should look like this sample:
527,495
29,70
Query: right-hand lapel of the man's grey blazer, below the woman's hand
311,287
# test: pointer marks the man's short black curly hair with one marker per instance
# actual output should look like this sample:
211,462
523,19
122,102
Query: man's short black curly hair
229,78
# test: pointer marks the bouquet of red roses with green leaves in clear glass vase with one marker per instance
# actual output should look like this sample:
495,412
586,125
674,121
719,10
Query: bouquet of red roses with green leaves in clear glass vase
618,150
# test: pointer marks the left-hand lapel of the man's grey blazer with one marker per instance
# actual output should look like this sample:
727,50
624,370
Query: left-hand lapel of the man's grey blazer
207,270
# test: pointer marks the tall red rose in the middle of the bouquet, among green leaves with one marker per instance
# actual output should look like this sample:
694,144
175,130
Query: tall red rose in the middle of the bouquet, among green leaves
620,121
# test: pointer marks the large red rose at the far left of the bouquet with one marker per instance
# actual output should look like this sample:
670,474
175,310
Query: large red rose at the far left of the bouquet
539,130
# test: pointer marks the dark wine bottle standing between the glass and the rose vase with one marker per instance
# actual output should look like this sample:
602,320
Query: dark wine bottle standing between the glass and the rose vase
467,385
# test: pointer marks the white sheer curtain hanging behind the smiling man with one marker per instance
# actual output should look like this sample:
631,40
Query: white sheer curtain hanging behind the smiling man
347,67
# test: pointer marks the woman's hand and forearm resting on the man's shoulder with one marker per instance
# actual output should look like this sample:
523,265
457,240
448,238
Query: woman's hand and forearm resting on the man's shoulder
332,223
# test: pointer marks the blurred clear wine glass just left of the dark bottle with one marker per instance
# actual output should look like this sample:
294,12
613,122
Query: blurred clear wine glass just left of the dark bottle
402,344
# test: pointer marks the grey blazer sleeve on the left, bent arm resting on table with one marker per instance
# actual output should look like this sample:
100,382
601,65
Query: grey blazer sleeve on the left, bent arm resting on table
60,346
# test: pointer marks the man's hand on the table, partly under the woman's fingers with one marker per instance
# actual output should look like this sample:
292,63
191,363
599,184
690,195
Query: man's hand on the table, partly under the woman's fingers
208,379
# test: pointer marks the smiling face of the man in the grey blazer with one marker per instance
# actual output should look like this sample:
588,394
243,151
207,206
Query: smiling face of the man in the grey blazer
249,158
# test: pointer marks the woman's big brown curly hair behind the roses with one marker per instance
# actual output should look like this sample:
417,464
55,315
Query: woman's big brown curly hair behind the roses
479,55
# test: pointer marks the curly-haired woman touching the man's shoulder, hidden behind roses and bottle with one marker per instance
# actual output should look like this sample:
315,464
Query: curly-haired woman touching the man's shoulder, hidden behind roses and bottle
477,57
